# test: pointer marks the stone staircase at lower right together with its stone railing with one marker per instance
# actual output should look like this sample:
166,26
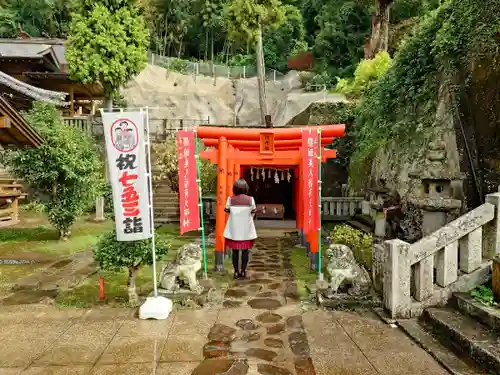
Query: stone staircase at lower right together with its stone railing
426,286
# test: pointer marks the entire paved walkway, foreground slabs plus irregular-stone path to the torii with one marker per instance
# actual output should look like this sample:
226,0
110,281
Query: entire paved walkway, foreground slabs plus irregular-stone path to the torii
268,333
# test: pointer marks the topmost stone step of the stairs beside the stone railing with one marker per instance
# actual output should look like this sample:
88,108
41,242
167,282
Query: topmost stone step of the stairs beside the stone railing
466,304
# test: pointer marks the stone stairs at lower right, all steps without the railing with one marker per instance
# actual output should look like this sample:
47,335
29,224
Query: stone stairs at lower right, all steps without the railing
463,336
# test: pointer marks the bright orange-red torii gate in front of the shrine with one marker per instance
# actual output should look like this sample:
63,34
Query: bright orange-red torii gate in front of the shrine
237,148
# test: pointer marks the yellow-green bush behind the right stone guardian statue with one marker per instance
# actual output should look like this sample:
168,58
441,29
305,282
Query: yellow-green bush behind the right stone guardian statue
359,242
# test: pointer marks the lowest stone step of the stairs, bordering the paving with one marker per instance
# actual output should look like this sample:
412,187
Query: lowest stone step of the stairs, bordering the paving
447,358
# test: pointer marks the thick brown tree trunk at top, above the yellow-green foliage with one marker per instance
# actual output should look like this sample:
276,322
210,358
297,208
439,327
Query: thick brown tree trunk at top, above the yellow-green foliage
379,39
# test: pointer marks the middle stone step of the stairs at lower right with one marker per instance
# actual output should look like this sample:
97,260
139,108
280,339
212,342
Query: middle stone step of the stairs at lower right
465,335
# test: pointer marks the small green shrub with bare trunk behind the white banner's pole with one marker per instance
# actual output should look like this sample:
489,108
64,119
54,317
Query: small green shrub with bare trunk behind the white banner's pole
113,255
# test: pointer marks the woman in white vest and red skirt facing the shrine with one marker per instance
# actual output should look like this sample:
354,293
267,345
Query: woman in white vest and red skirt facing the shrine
240,231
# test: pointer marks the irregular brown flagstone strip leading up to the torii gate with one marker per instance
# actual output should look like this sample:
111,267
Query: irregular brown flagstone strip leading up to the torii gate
267,336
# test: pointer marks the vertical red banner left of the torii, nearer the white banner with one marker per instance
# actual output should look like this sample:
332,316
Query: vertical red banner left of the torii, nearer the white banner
188,186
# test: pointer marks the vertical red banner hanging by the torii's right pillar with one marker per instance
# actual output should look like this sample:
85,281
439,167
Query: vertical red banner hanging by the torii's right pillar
310,191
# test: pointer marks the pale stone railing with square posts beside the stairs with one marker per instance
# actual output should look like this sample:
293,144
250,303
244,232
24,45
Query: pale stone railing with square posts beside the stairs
455,258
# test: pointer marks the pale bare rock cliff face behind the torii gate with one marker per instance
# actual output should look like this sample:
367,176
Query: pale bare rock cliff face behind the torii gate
220,101
